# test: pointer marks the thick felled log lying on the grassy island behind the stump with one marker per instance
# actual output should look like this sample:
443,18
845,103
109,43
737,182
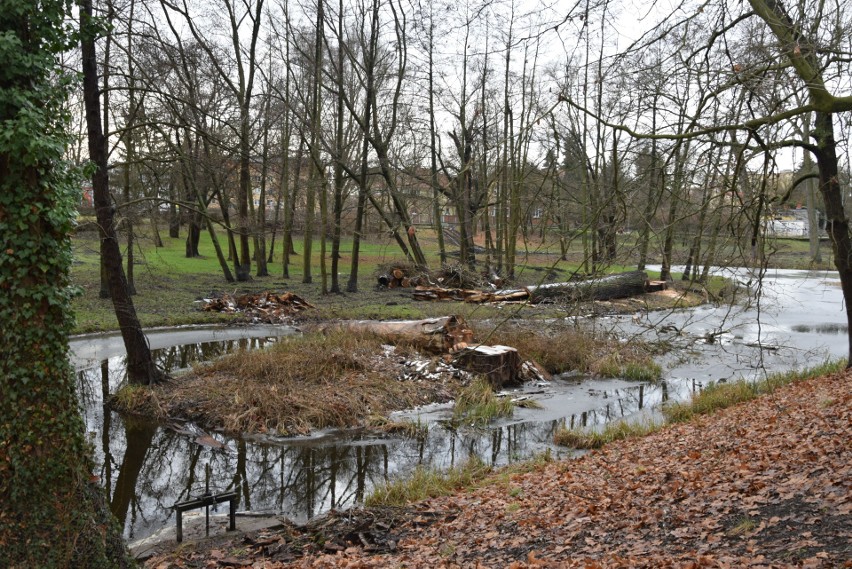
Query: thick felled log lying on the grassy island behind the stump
434,335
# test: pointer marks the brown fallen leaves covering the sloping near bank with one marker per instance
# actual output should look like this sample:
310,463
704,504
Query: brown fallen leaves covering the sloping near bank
763,484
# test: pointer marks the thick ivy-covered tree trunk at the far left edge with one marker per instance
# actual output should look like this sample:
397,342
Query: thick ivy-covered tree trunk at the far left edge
53,513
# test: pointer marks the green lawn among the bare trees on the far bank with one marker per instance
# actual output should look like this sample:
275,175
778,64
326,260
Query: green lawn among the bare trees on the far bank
168,283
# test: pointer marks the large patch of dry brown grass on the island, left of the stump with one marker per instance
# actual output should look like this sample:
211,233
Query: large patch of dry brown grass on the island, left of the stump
310,382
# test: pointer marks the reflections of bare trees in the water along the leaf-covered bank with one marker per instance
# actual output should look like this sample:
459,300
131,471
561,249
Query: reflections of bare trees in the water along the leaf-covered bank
303,479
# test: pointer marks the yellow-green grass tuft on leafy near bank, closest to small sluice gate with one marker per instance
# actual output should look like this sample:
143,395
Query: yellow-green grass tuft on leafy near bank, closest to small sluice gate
426,483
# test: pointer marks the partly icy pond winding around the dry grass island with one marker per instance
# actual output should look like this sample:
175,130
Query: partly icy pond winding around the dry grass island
795,319
